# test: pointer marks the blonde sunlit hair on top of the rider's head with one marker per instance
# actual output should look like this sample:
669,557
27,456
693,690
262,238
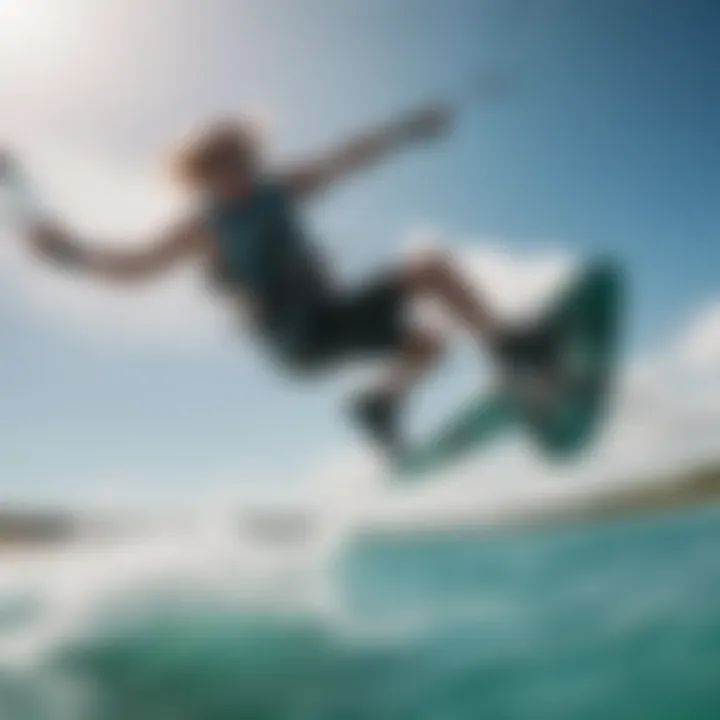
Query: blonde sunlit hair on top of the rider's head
230,139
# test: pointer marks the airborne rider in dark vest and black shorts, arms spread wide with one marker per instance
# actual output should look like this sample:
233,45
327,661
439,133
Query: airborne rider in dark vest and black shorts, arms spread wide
248,234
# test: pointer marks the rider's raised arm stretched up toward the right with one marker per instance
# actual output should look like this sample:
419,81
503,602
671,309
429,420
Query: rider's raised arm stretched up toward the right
369,148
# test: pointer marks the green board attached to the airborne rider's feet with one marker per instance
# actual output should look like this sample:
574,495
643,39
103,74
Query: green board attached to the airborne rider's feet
584,320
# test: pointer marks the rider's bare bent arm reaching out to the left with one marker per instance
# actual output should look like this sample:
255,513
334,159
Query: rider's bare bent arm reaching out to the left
177,244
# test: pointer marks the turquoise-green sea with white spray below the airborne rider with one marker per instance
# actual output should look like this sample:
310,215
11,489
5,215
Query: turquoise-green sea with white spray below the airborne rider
606,622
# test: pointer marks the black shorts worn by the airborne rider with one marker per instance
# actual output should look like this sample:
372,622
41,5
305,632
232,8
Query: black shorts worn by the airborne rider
365,322
